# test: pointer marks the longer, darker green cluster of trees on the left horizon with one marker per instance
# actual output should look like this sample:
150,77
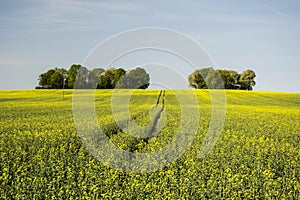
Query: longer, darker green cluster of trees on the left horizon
99,78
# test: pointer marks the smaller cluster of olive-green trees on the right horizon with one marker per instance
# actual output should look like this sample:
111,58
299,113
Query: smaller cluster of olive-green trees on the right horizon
217,79
